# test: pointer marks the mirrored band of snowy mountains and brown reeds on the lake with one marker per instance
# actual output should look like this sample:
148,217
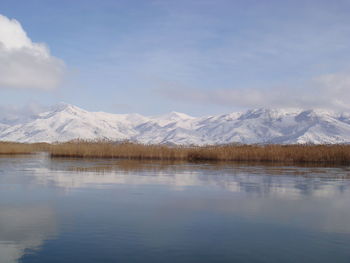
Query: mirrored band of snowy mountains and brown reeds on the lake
261,180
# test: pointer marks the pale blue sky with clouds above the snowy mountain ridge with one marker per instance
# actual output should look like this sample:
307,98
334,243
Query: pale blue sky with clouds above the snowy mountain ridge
155,56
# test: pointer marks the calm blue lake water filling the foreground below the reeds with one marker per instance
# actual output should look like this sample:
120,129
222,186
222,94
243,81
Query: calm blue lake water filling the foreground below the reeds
64,210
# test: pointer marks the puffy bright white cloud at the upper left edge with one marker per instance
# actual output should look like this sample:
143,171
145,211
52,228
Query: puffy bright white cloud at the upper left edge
23,63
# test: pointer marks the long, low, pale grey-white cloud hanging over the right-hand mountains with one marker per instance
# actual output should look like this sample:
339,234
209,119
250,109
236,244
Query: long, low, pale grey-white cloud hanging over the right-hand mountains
330,91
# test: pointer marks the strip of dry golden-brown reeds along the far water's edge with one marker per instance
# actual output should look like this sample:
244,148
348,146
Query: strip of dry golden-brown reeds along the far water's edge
331,154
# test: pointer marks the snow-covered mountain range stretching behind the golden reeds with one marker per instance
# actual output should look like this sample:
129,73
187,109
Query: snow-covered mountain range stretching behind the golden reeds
65,122
